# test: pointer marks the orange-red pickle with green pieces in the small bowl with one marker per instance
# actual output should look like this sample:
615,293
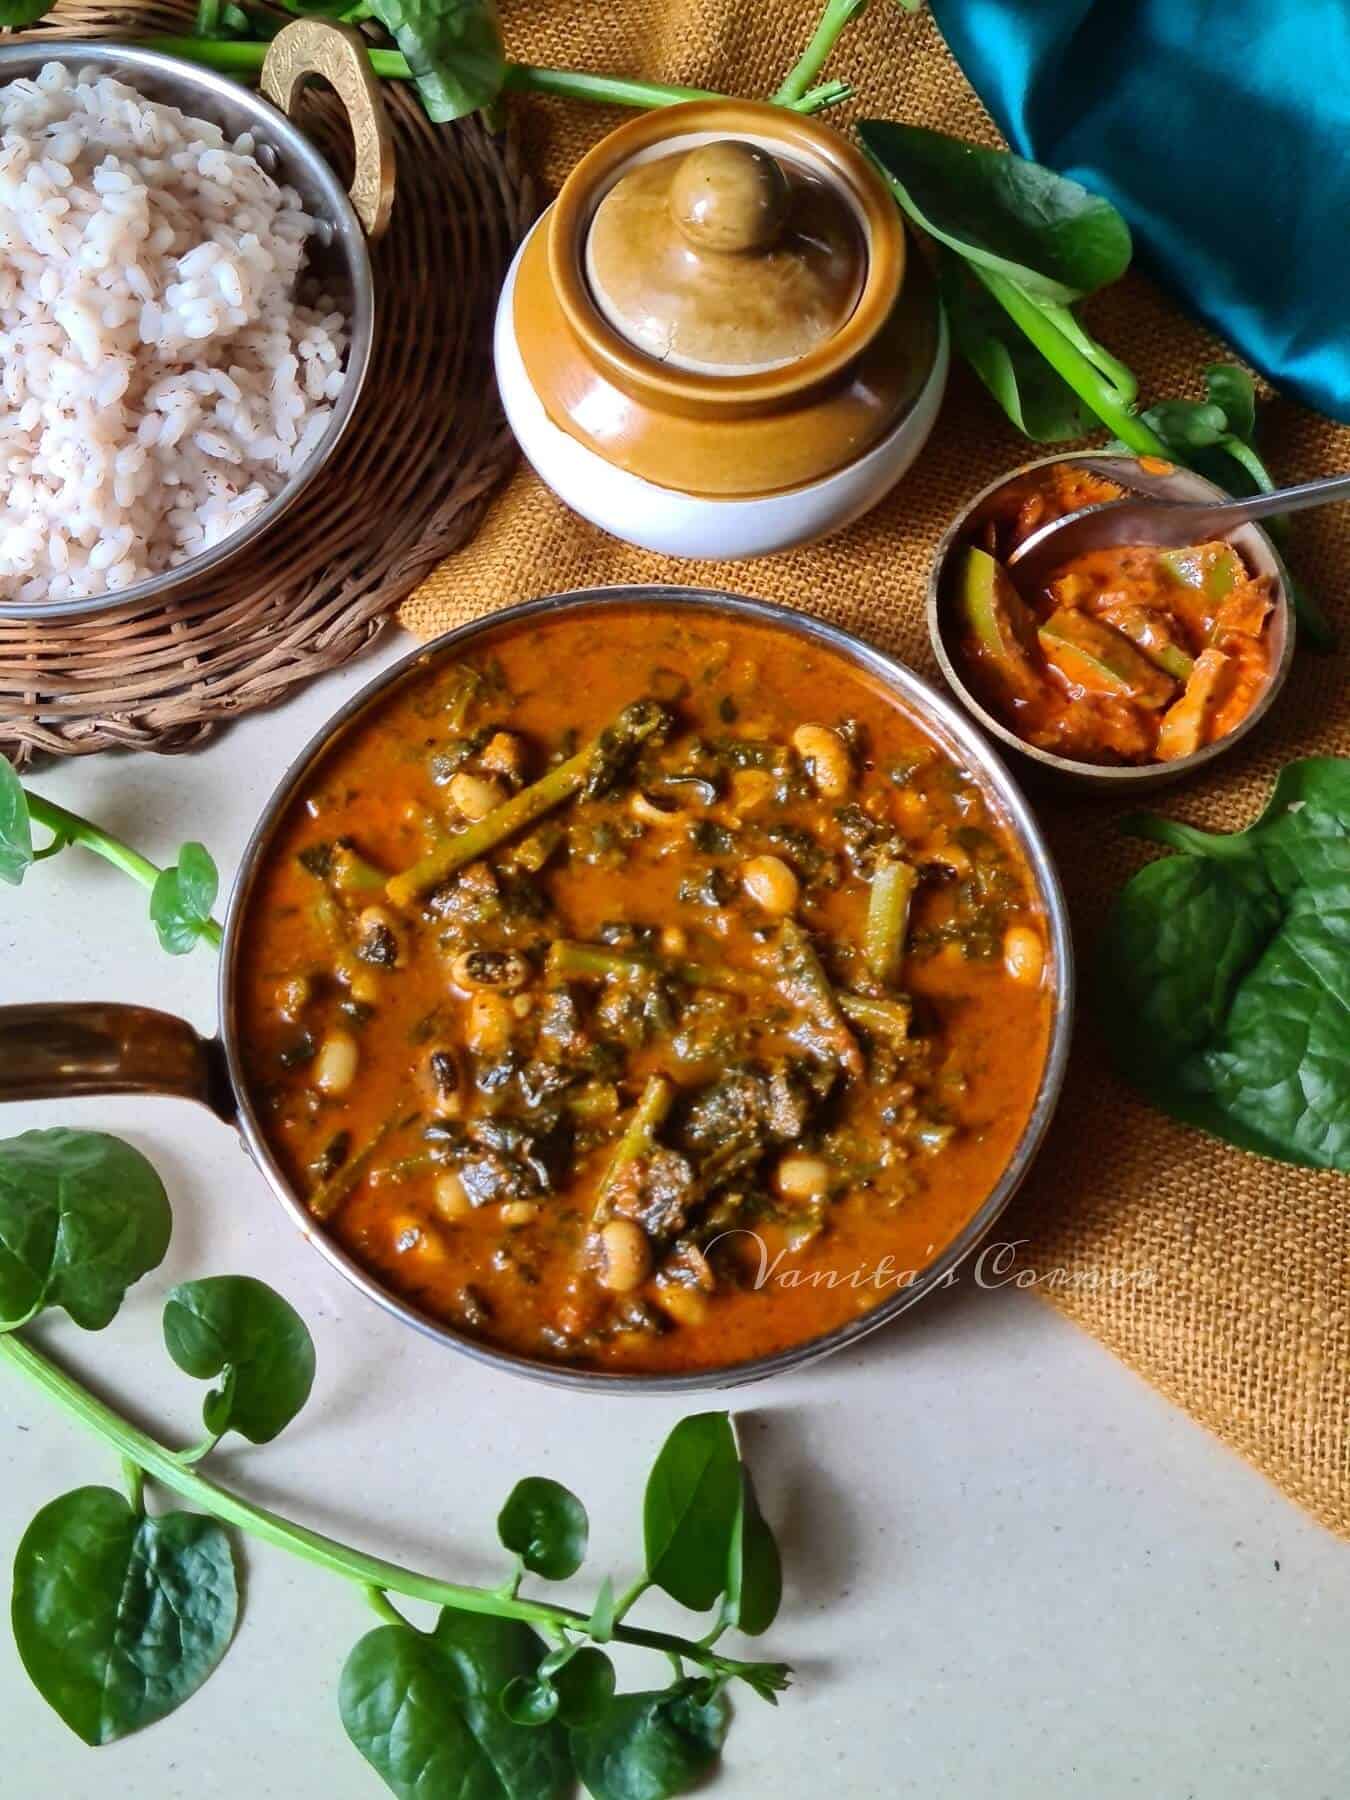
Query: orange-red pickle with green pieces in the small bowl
1124,656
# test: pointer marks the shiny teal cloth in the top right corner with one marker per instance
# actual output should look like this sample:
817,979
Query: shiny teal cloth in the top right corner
1221,129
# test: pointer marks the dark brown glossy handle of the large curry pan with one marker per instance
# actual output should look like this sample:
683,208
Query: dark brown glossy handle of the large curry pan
57,1050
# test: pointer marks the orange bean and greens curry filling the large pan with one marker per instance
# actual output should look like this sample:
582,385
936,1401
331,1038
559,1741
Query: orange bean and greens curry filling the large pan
645,993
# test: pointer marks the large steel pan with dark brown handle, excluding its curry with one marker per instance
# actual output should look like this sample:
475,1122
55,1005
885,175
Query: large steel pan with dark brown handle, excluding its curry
60,1050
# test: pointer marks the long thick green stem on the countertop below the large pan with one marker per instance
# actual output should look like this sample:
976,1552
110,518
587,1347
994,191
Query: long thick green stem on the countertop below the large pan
325,1552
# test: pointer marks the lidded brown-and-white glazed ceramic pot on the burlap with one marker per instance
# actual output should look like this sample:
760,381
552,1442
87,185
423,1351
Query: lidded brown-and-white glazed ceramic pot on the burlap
721,402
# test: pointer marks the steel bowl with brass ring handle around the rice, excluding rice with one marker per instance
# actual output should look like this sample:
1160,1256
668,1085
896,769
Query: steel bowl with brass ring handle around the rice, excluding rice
337,255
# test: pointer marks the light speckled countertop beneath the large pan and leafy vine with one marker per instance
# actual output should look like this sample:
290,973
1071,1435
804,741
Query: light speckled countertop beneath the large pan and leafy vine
1012,1569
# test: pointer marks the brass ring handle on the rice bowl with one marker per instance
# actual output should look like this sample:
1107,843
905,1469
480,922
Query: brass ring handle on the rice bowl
337,53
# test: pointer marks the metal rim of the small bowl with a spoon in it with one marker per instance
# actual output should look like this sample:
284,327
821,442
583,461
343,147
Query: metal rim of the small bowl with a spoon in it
1068,768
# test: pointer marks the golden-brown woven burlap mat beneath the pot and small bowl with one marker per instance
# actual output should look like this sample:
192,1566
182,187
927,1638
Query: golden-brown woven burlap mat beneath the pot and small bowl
1243,1311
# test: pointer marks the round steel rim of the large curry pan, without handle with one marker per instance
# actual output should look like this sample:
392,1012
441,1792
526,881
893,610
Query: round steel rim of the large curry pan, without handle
935,710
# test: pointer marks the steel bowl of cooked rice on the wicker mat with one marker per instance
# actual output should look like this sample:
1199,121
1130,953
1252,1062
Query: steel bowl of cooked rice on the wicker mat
186,321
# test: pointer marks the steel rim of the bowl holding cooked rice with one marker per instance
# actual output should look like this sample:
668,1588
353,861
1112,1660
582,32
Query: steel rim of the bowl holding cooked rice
348,238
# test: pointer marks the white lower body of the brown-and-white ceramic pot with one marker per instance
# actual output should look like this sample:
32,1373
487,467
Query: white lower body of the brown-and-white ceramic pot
681,525
